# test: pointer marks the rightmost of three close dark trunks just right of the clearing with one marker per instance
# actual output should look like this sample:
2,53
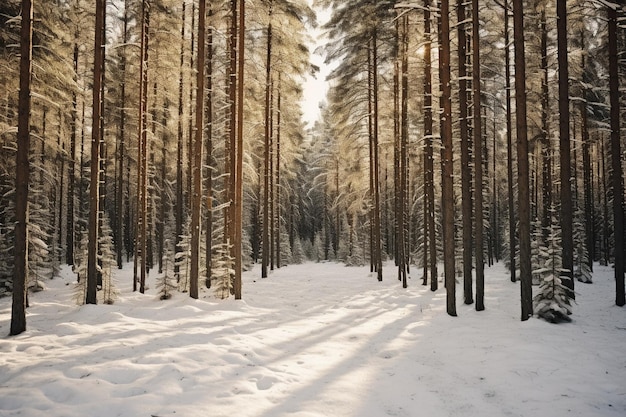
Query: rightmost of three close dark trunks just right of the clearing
478,161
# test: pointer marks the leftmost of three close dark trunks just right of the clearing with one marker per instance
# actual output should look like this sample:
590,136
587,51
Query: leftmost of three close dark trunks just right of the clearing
447,168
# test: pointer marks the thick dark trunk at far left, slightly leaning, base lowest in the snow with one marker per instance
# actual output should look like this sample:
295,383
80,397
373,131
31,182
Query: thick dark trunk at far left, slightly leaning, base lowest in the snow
20,271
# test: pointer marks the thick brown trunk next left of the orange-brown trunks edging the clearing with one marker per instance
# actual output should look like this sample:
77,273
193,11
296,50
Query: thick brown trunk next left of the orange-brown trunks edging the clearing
196,197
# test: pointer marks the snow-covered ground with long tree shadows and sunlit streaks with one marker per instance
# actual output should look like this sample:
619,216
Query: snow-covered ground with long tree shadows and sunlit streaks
313,340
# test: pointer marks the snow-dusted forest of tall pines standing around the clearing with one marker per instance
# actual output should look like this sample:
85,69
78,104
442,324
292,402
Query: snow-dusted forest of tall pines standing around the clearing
170,134
